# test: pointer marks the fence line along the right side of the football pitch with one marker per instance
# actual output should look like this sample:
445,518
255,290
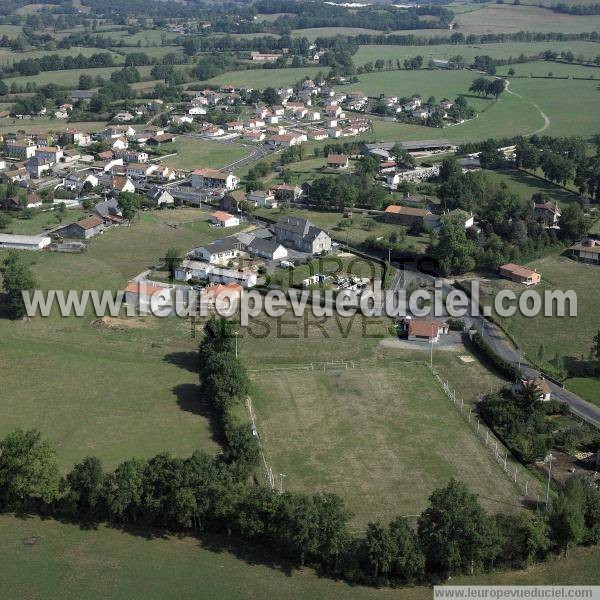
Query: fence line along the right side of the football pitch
527,485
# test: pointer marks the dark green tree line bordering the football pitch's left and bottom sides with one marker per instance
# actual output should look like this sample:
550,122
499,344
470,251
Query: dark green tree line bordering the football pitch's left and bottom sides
207,494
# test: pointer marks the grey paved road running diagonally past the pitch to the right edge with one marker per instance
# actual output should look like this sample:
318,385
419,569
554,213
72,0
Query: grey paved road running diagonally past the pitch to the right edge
494,336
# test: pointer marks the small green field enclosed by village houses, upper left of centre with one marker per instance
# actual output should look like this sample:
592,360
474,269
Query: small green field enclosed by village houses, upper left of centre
194,153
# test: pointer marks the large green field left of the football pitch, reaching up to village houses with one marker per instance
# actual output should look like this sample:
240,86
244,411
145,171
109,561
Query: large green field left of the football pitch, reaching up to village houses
112,390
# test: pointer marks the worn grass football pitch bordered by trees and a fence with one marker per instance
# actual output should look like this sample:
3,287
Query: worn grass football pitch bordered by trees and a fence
383,438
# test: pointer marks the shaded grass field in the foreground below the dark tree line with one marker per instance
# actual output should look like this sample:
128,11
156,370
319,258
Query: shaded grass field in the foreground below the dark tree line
68,561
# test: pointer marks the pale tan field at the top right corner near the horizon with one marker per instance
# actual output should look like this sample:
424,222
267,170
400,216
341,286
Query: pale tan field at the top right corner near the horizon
505,18
